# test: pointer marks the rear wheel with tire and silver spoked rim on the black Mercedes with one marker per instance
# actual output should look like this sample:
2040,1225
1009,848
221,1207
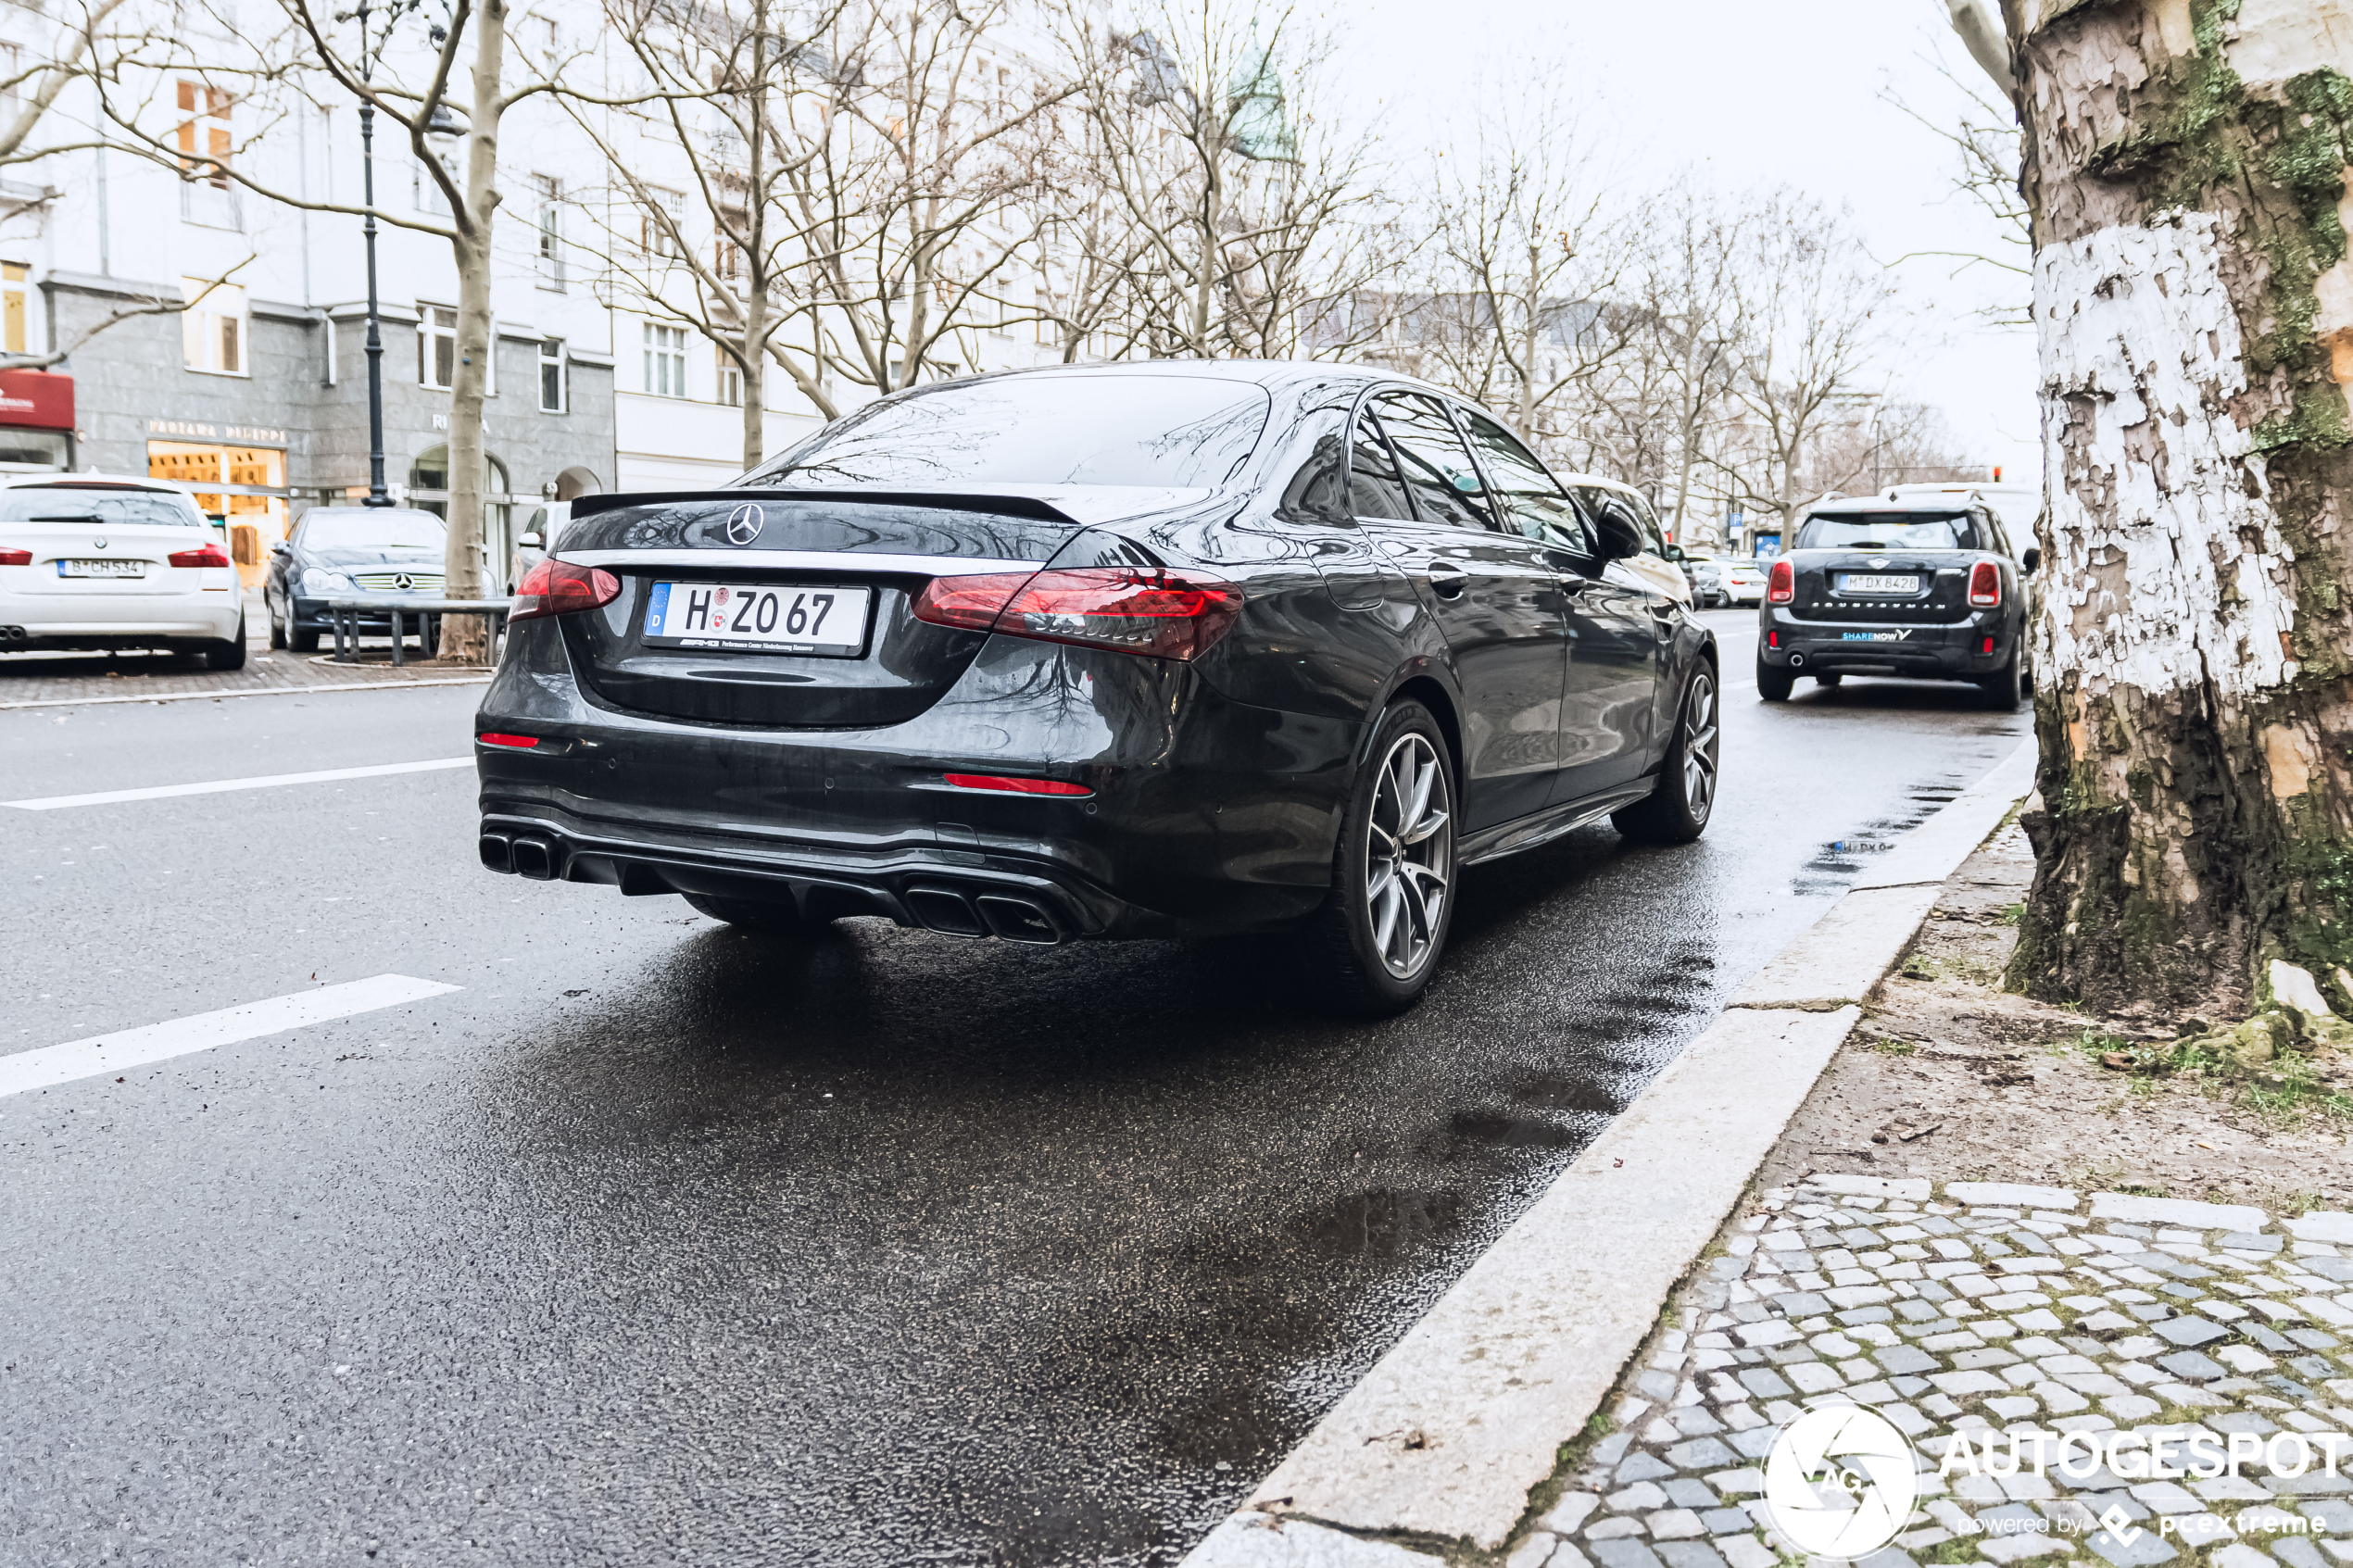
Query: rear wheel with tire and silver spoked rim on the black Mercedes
1378,939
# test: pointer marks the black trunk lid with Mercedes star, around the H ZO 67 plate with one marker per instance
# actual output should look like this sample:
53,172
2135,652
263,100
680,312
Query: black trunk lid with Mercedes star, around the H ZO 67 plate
780,551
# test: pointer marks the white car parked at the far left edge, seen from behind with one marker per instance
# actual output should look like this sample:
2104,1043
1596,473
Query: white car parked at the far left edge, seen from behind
114,563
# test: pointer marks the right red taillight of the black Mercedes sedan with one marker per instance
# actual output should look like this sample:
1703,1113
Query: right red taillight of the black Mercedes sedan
1133,610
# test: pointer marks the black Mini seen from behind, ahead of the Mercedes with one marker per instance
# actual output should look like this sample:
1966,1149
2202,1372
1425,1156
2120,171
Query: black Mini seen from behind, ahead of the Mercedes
1926,587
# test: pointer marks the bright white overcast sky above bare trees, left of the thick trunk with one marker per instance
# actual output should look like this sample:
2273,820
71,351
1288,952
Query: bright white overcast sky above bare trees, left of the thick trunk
1749,95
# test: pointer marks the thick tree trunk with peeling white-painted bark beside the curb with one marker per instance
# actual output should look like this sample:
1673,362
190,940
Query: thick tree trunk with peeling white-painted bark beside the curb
2194,309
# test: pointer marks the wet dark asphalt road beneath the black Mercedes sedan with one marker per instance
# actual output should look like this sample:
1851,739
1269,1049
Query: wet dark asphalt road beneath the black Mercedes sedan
662,1245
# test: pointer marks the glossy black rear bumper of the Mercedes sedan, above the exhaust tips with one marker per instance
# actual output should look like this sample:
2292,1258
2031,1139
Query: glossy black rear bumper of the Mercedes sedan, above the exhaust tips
1204,817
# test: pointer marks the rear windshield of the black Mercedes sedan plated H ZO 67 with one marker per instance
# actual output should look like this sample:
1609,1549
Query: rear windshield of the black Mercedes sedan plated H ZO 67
1154,431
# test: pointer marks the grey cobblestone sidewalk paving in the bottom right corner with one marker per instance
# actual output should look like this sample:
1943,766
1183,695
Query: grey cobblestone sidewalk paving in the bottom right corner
1980,1308
